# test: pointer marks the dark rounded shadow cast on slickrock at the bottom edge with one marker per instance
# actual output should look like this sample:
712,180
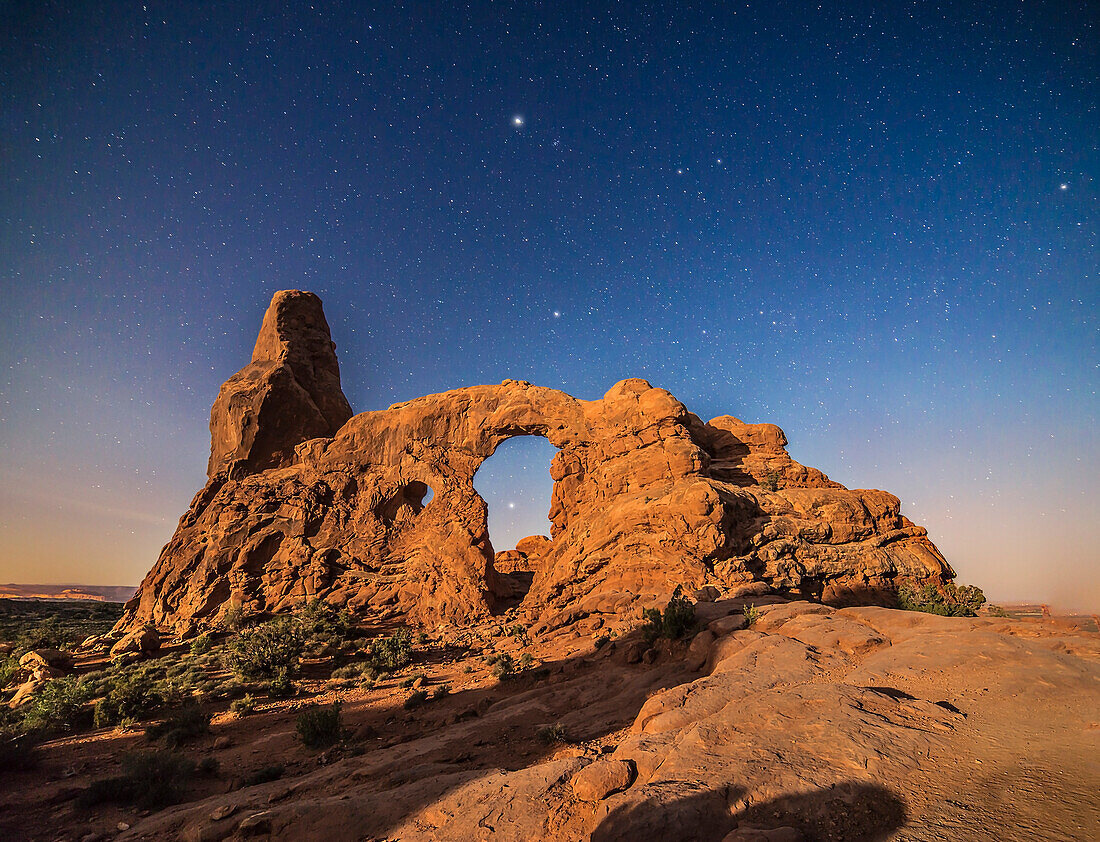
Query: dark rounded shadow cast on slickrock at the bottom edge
851,812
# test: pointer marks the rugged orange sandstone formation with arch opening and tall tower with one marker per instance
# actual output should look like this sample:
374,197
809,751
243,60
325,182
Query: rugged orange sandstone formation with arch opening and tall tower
306,501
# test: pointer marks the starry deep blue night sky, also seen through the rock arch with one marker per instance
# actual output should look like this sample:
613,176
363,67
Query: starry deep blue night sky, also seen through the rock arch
872,224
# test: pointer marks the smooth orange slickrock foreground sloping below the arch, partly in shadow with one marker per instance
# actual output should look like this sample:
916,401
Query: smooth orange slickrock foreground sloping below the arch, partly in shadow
861,724
